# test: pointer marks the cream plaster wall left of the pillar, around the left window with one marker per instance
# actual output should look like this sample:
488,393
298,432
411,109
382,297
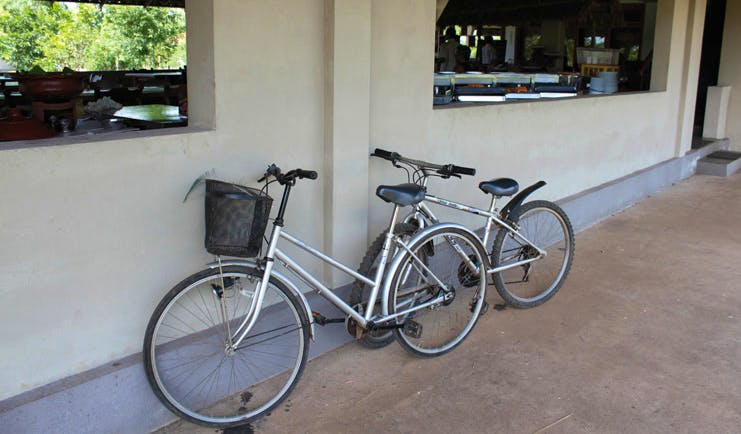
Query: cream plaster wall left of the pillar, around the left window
93,234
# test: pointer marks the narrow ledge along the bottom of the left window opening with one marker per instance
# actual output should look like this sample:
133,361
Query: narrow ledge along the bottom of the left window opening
98,137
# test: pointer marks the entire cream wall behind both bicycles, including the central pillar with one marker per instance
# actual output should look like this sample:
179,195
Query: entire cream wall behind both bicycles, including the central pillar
93,234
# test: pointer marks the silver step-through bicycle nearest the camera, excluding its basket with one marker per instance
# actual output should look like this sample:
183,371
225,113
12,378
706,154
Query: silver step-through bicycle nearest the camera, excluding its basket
229,343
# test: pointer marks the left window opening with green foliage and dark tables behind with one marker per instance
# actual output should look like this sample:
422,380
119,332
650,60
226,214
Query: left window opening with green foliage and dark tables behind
91,67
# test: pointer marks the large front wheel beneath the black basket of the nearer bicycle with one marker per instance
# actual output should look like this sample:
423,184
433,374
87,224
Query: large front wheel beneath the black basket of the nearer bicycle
196,373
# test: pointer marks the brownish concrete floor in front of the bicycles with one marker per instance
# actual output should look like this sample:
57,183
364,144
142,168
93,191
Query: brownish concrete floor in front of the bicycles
645,337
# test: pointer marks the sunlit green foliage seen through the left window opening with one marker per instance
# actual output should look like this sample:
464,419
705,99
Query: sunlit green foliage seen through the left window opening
87,37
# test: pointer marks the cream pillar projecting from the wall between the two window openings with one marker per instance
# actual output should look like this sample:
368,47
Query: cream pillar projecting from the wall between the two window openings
347,131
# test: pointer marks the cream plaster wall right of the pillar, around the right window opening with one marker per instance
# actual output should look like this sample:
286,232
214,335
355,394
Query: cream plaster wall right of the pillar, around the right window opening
572,144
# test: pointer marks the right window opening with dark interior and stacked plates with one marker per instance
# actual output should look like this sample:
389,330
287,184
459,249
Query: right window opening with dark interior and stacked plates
529,49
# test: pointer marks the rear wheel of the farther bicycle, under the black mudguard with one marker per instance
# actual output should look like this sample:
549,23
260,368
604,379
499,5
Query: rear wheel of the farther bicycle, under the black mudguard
536,220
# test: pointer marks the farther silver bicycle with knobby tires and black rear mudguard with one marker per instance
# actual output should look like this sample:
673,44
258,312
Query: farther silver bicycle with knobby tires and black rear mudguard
533,247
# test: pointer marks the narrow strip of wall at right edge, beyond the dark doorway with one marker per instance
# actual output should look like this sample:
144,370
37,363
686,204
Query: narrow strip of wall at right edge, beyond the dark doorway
730,70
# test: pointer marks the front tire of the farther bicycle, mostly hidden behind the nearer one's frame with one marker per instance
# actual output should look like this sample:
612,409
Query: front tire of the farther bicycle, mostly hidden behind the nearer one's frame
360,290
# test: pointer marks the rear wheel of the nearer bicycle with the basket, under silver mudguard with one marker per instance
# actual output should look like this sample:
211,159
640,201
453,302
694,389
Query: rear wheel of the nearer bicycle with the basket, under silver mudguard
439,287
